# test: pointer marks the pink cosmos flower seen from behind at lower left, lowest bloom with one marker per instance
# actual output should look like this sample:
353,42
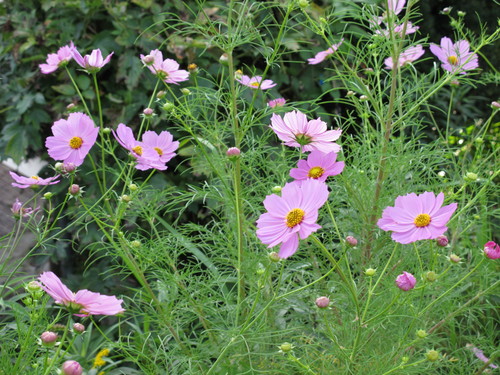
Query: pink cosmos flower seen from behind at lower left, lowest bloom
81,303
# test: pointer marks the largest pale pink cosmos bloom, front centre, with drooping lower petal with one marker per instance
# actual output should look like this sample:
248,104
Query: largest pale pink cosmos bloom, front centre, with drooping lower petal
291,216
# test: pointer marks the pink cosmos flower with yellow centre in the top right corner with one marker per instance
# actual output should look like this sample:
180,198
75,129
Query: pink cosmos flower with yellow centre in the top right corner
456,58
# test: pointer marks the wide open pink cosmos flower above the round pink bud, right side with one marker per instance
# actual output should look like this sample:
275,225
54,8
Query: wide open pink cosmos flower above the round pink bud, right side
417,217
